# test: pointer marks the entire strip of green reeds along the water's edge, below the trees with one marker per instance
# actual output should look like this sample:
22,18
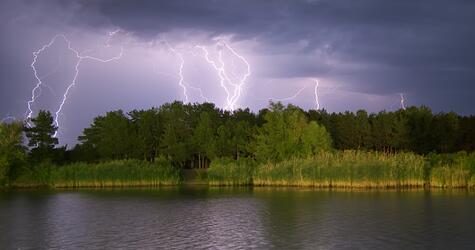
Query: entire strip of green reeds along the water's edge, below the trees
342,169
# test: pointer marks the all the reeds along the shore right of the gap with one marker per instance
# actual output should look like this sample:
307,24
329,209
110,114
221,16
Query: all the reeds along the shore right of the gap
352,169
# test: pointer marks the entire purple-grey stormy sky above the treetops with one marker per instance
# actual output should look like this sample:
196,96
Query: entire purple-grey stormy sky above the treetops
364,53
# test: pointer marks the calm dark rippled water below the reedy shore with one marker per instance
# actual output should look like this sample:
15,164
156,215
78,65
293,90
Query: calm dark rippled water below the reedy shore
198,218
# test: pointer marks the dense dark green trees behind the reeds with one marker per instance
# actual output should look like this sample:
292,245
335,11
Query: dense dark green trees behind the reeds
195,135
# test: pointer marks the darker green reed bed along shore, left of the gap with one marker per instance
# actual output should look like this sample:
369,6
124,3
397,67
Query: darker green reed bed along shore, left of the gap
125,173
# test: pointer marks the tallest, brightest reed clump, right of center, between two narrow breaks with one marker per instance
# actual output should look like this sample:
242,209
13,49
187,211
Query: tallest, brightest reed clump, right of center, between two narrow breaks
345,169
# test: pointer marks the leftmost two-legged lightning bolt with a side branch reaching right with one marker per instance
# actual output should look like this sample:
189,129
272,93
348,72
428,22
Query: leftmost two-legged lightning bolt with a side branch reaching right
80,58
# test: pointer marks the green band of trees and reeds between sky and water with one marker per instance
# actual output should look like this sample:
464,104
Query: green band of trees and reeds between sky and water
278,146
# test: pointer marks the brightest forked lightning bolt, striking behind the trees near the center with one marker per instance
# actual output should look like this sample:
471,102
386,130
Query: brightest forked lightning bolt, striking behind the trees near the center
220,67
